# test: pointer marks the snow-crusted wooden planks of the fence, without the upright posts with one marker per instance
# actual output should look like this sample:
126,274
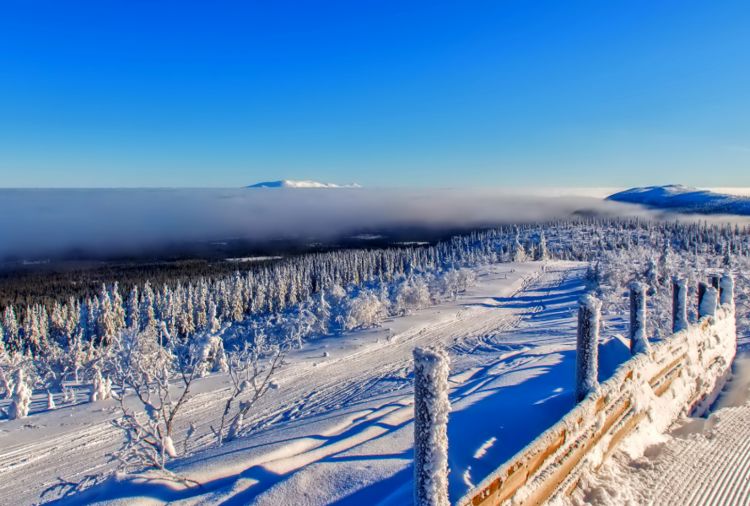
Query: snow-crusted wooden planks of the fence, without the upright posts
679,375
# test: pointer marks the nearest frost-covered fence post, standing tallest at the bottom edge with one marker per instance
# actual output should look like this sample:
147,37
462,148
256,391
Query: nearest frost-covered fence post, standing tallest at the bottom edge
431,407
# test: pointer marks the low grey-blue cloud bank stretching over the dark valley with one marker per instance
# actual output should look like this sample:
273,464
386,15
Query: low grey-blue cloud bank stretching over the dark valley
38,223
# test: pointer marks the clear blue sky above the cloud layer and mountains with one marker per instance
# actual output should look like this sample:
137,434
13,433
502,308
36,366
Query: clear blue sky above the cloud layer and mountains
439,93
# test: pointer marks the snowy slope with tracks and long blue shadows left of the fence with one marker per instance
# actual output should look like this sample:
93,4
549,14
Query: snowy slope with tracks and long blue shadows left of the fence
339,427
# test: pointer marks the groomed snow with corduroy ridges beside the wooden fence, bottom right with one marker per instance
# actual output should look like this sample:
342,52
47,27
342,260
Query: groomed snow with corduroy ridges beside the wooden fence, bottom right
700,461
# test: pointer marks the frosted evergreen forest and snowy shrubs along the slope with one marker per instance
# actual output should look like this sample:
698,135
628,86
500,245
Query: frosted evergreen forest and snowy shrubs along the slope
155,342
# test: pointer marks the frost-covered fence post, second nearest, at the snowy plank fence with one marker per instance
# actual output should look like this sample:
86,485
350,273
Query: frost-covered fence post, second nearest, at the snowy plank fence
587,346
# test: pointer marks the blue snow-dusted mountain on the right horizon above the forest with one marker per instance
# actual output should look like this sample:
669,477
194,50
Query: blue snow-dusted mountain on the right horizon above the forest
678,198
